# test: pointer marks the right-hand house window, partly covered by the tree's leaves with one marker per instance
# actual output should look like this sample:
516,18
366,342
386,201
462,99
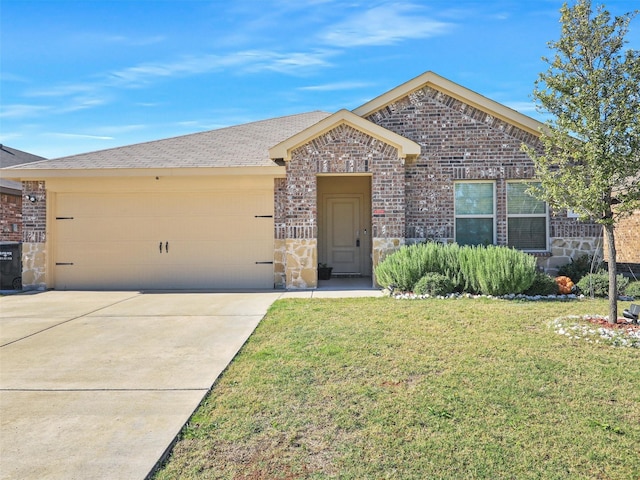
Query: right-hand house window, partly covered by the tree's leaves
526,218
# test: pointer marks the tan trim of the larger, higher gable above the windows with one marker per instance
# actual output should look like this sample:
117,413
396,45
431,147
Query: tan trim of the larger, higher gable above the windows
456,91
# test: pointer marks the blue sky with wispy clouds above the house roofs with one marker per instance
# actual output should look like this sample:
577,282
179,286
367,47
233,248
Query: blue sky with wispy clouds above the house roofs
79,76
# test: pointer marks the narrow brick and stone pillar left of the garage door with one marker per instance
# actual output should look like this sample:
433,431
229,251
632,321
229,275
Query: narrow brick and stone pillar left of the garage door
34,253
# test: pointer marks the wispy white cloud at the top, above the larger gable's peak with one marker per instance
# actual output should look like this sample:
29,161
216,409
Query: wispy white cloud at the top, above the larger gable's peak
385,25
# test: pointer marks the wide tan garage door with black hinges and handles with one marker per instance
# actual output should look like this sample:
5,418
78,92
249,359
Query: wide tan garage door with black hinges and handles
164,240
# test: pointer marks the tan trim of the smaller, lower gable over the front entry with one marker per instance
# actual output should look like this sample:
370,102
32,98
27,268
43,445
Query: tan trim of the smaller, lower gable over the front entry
405,147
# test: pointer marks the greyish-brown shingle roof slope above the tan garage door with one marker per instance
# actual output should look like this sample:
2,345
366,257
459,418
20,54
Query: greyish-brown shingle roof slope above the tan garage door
244,145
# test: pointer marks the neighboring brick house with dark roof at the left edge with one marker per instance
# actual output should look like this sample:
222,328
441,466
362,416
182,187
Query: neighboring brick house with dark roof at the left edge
11,194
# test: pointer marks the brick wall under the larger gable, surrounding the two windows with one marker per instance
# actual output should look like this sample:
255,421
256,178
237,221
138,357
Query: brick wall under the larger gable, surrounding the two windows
461,142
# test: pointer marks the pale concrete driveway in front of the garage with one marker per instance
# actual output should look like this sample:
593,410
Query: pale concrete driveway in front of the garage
98,384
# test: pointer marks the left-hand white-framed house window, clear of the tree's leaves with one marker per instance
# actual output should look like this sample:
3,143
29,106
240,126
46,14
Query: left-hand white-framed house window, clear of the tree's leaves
475,213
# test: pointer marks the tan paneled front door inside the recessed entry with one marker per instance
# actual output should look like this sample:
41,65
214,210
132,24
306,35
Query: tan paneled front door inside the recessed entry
343,235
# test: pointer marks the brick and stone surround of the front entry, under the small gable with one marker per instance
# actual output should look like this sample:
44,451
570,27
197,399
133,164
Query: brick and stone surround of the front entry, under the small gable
343,150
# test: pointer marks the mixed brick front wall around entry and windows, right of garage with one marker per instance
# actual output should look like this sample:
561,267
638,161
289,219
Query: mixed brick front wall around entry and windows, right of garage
415,201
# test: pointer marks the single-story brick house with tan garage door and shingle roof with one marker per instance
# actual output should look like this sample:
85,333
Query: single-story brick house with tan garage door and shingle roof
260,205
